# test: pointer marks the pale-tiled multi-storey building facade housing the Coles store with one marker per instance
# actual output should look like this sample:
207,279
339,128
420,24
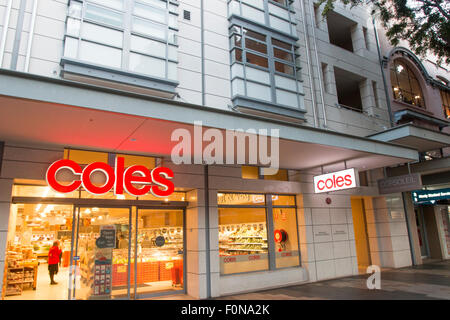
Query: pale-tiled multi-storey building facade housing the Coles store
95,81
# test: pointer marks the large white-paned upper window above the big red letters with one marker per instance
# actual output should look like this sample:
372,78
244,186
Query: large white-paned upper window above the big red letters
136,36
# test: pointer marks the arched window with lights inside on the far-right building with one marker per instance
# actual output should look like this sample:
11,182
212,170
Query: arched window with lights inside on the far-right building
405,86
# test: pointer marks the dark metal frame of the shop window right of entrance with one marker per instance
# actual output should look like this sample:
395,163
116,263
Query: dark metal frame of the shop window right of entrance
268,206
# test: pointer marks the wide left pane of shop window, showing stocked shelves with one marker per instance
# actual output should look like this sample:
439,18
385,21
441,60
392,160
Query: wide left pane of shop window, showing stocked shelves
242,240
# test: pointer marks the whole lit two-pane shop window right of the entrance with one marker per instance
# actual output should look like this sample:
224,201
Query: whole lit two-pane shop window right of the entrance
245,238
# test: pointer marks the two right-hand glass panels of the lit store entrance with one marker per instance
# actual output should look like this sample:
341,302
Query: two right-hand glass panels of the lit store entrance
126,252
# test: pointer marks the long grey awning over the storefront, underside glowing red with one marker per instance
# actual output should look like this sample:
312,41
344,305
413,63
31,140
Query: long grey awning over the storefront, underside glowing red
57,112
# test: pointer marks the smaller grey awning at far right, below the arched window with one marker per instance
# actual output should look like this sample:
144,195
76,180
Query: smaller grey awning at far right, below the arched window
415,137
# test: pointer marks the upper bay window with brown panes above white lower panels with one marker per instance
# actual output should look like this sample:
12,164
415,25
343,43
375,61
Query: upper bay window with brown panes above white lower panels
264,67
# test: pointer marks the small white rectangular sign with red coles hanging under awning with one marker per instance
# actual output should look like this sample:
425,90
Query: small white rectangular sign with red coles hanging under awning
340,180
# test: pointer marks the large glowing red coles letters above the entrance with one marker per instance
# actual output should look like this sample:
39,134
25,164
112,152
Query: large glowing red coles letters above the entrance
156,181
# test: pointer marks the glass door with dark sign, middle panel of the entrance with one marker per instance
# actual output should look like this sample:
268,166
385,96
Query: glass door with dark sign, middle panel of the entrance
101,254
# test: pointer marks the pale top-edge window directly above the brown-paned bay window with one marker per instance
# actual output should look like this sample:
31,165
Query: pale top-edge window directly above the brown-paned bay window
274,13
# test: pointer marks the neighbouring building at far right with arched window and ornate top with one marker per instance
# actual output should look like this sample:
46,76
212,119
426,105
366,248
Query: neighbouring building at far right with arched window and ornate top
418,90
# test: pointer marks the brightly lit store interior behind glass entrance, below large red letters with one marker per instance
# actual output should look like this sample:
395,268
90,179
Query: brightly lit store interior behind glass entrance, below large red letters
34,227
